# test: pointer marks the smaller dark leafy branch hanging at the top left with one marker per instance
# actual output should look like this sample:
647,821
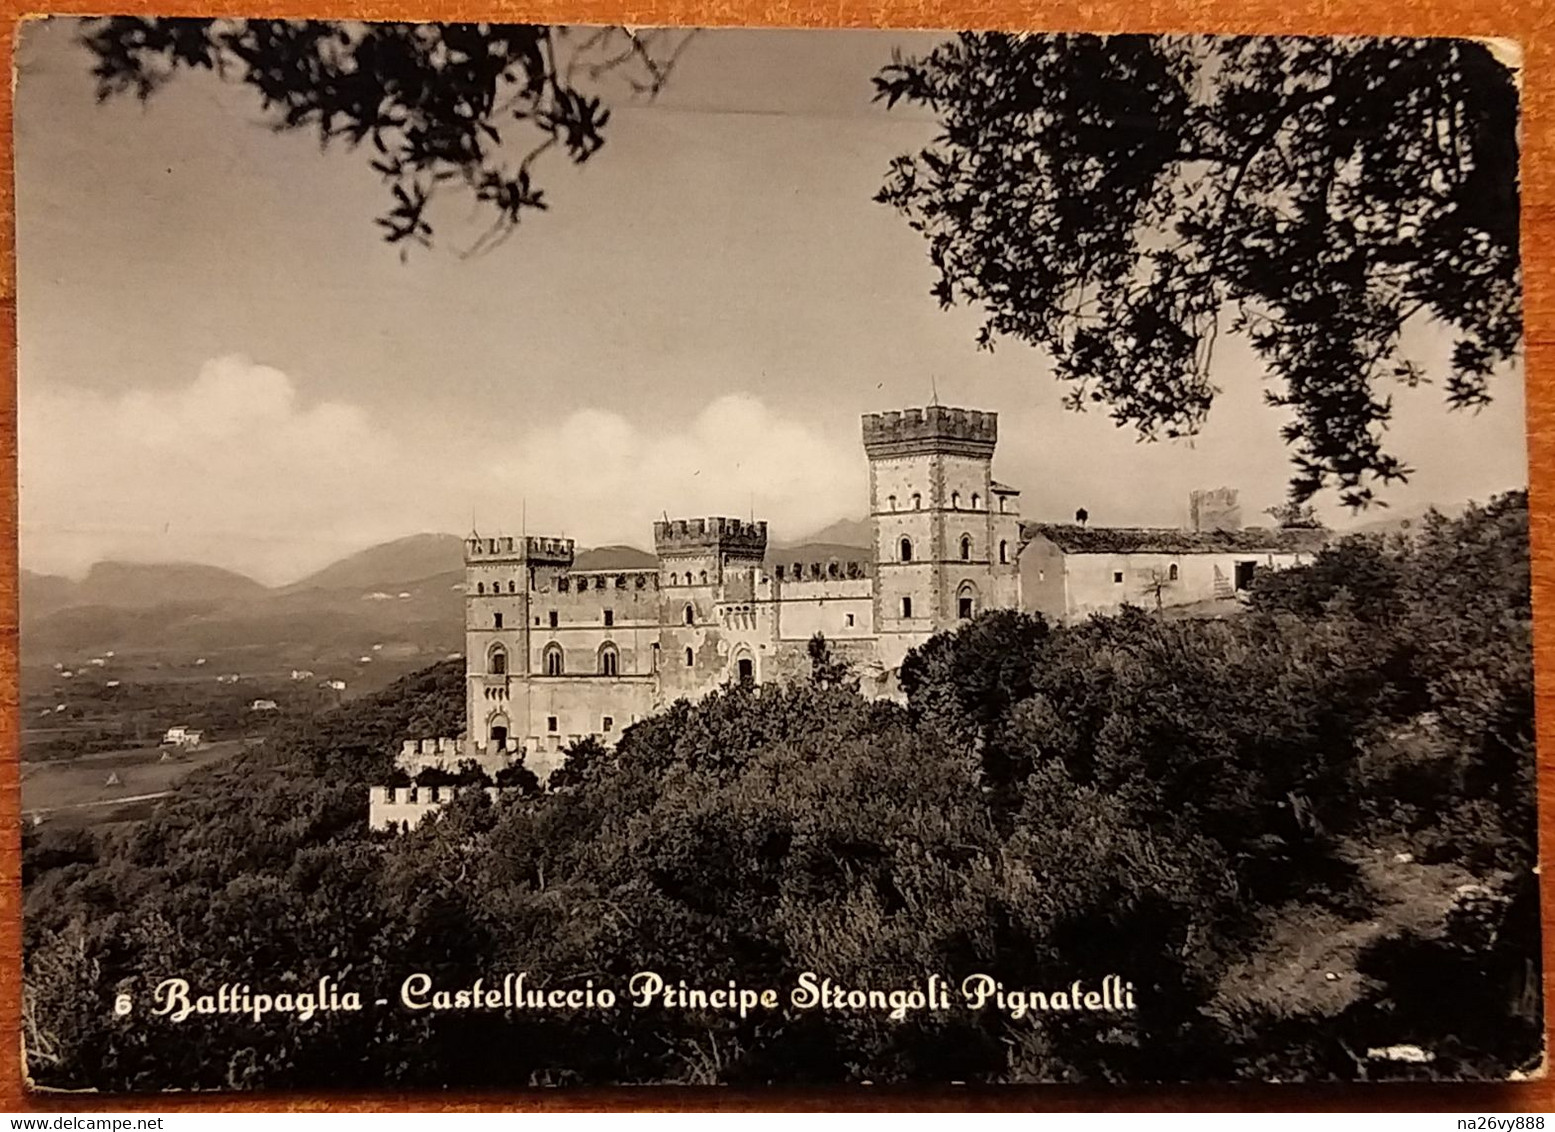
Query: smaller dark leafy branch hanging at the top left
469,105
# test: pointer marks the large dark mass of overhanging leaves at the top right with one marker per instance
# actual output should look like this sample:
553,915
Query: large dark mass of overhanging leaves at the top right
1114,200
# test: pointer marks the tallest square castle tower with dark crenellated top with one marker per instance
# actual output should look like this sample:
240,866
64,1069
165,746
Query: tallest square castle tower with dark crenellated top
946,534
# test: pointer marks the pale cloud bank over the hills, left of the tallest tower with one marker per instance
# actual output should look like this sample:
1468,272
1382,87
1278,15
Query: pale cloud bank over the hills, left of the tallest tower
236,469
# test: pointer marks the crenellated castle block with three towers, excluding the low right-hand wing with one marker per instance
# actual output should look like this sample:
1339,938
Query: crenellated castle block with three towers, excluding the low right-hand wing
564,646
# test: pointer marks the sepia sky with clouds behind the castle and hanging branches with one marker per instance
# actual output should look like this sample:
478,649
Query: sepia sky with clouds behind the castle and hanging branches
220,360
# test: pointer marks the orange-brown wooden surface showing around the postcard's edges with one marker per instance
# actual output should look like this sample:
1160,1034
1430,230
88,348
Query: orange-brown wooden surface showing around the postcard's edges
1531,23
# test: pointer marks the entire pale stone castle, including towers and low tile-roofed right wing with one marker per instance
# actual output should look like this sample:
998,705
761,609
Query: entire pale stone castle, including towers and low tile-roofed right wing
557,649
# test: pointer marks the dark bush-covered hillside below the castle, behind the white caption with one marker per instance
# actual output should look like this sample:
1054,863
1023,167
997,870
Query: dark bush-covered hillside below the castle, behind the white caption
1288,830
